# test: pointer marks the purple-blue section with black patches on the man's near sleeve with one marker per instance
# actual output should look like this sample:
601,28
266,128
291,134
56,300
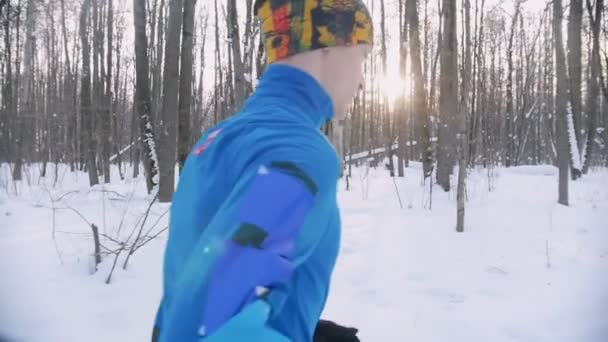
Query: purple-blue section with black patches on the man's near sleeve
259,253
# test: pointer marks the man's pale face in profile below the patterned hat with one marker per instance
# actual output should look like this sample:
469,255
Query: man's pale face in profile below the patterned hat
344,74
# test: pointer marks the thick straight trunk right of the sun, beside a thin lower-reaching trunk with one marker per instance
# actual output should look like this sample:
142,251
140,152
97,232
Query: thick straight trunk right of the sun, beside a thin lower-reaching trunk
448,96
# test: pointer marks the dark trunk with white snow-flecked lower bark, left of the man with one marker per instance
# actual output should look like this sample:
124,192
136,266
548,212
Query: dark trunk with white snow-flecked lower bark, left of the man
142,95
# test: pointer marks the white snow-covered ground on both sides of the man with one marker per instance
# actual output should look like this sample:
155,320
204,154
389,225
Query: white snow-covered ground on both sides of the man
526,269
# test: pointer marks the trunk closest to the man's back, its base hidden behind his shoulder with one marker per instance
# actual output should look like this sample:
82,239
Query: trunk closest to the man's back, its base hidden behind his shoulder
185,84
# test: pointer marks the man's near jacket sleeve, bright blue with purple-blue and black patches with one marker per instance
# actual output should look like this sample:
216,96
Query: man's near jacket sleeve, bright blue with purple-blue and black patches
250,246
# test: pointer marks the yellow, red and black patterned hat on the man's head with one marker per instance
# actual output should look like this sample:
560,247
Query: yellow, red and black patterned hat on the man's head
290,27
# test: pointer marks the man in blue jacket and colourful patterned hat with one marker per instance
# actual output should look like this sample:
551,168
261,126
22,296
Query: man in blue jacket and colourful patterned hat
254,228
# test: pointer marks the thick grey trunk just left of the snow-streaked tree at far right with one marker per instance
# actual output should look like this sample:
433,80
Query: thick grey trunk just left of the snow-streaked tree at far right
563,151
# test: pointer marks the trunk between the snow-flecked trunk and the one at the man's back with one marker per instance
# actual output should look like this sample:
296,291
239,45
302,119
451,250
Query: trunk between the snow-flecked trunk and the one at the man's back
168,136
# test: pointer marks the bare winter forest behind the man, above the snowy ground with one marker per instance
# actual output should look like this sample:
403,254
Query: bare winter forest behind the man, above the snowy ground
473,83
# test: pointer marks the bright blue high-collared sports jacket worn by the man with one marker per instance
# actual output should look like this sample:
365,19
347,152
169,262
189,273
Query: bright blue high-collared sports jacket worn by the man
255,217
